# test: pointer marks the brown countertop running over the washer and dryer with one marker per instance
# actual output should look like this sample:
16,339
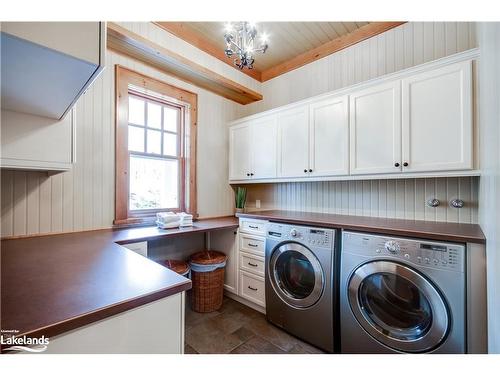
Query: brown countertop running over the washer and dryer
453,232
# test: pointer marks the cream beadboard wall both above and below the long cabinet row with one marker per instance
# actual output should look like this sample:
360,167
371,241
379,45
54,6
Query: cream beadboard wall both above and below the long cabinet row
402,47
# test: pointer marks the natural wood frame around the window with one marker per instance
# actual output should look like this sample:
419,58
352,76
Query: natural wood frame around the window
126,81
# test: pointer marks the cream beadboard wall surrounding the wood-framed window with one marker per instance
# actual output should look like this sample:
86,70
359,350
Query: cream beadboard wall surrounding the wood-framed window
82,199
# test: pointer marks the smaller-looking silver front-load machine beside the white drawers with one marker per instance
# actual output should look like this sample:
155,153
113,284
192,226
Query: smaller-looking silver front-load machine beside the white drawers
299,282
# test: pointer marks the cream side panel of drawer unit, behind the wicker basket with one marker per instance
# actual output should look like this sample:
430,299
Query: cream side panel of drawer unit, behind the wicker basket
226,241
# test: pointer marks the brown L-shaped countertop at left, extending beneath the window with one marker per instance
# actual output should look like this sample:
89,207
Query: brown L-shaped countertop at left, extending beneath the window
56,283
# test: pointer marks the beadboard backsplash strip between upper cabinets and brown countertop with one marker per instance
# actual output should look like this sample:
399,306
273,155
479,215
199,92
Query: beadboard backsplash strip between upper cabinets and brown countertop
402,199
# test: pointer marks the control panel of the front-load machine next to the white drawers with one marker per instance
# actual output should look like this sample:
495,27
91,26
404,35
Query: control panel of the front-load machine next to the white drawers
312,237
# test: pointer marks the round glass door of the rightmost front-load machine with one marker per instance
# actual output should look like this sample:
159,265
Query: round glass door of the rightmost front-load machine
398,306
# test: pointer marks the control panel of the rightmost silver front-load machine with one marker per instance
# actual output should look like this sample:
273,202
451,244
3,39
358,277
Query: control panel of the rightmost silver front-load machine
424,253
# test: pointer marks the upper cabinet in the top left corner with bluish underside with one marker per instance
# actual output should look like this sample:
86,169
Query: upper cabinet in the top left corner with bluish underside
47,66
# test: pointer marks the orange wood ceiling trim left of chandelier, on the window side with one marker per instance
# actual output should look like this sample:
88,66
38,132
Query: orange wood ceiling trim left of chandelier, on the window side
180,30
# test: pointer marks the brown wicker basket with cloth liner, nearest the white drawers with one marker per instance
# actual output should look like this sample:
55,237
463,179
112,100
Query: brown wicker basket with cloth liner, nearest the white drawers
207,276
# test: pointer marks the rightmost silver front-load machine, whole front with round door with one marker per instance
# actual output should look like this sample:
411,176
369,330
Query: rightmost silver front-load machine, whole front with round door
401,295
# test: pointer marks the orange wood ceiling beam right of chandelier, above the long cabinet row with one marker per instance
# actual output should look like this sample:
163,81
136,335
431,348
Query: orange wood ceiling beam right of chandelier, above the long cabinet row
335,45
